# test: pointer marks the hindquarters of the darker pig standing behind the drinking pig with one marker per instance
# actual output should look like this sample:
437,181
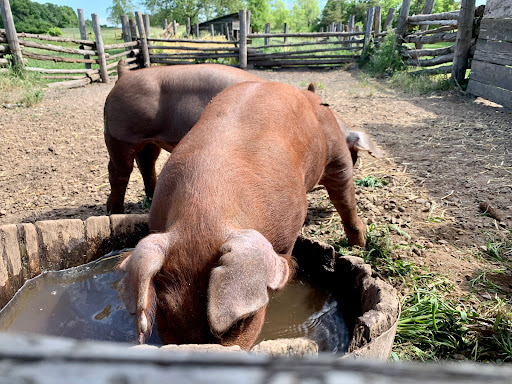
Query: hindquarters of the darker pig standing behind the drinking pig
154,108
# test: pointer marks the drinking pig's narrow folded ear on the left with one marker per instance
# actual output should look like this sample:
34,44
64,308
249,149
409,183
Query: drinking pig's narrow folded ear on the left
136,287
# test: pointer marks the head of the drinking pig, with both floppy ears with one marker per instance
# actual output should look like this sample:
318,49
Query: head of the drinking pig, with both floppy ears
234,287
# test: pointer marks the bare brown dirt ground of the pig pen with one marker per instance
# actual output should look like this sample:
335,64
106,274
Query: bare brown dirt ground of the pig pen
447,153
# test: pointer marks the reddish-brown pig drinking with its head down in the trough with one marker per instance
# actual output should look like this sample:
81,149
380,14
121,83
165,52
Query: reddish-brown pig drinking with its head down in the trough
228,207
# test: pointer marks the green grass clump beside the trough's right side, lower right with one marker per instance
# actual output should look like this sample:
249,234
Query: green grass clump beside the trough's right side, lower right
433,324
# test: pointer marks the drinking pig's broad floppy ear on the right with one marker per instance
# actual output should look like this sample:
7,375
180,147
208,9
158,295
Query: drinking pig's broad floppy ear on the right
238,286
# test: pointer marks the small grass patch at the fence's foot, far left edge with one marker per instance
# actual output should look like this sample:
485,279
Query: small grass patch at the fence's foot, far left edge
20,87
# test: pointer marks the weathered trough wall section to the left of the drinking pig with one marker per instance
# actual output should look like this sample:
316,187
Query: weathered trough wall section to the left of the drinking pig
26,250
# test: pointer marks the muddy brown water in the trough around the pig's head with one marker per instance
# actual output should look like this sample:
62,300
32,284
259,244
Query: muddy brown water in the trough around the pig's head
83,303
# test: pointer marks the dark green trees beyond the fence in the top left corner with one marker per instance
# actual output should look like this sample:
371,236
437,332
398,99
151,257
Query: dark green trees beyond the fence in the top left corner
33,17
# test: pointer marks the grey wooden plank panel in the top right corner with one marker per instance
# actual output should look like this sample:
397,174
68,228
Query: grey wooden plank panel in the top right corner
491,69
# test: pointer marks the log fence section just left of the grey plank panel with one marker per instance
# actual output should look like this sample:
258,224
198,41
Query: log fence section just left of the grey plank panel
447,27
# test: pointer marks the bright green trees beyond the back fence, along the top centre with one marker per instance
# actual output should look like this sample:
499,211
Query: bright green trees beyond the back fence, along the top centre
302,16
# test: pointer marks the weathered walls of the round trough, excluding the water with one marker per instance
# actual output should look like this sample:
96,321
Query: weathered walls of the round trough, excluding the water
369,305
